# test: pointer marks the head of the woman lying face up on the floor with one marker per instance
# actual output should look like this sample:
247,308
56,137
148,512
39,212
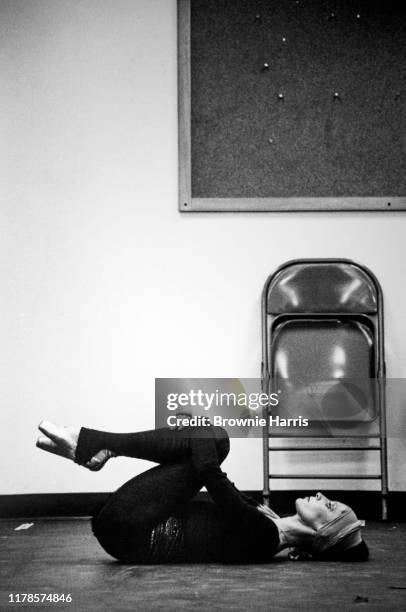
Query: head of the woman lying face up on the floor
334,528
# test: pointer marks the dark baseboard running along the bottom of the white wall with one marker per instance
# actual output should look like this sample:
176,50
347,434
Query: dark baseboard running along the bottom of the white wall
367,504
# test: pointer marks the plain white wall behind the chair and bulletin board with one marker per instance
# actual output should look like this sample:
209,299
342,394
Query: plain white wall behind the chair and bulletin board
104,285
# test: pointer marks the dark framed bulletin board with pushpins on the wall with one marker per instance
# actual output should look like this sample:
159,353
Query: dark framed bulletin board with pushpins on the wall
292,105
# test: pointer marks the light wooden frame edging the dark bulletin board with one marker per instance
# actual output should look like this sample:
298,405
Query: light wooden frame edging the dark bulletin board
188,203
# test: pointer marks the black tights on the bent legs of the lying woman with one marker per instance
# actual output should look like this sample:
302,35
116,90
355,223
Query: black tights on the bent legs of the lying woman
126,522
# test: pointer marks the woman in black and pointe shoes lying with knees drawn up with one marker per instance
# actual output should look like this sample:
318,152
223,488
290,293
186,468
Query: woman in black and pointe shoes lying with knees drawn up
152,518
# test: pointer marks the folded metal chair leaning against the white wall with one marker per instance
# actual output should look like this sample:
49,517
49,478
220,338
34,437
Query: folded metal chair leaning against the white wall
323,353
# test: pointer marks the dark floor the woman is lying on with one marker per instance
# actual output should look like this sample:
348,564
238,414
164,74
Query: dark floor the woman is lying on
61,556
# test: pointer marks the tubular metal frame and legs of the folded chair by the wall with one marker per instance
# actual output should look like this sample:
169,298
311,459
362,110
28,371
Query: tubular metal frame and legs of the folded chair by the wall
379,374
